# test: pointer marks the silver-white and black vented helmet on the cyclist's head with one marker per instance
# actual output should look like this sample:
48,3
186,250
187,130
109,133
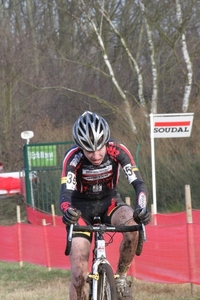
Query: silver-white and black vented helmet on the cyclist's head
91,132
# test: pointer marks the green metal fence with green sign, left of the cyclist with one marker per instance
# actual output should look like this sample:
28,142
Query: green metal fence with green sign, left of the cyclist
42,166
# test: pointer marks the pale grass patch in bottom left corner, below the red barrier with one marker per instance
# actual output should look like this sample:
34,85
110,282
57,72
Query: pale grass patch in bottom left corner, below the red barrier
32,282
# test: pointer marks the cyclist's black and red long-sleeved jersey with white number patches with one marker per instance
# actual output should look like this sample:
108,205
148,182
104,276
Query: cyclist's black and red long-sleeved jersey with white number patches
83,180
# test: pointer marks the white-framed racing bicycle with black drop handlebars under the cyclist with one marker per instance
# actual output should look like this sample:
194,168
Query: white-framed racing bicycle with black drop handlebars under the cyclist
101,278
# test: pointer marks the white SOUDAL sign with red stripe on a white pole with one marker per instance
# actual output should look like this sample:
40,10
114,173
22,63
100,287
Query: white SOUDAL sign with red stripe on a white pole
172,126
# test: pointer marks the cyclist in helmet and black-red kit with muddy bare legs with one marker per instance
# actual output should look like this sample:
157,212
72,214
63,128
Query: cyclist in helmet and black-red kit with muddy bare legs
90,175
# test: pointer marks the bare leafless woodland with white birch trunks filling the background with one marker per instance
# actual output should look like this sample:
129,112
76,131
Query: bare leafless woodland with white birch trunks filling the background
123,58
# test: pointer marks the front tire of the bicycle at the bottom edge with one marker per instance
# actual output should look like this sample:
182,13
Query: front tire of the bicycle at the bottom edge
106,283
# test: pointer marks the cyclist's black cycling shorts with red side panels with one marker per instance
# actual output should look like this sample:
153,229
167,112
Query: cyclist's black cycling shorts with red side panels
90,209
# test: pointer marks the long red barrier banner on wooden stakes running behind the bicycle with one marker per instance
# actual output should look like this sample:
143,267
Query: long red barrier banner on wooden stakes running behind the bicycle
170,255
